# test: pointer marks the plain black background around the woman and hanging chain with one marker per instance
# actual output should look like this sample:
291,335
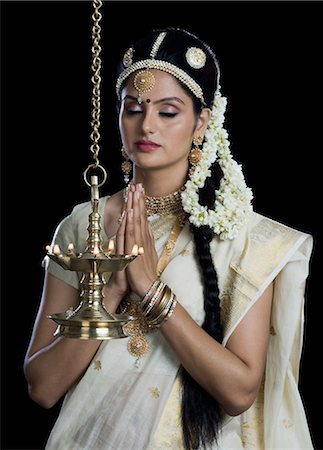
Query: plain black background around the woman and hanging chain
271,59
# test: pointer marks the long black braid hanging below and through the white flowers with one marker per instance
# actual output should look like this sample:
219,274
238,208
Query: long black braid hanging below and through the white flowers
201,413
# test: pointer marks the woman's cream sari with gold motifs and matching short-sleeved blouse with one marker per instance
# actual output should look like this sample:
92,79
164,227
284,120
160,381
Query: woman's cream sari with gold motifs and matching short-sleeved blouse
120,405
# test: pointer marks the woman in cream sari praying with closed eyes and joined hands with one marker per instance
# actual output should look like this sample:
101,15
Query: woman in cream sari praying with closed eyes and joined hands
218,289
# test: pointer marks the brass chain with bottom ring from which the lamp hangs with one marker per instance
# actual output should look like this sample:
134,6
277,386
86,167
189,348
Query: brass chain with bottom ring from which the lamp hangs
96,92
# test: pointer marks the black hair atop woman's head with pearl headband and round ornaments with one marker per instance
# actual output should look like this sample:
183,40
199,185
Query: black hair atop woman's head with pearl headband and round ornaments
178,53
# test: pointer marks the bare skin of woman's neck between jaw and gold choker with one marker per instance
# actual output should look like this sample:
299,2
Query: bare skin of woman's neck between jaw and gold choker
158,183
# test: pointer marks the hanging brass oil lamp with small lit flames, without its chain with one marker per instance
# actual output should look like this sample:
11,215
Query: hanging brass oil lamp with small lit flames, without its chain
91,320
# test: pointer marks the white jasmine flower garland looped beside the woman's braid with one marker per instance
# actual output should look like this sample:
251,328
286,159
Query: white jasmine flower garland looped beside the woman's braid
233,199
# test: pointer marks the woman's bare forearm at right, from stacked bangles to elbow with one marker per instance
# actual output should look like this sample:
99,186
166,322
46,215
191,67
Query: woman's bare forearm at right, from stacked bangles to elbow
219,371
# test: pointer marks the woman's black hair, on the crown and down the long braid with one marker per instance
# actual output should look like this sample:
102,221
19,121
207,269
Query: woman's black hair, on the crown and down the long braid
201,413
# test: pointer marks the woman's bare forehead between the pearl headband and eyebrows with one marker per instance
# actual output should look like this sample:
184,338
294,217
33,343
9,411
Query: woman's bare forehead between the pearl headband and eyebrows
165,85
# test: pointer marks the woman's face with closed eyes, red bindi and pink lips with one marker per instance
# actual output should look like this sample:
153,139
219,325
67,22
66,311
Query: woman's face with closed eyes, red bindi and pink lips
158,132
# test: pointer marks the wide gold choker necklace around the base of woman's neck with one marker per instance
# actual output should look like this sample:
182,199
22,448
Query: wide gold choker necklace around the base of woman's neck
168,204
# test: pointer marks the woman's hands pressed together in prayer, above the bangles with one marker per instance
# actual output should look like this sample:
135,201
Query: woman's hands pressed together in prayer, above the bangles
142,271
